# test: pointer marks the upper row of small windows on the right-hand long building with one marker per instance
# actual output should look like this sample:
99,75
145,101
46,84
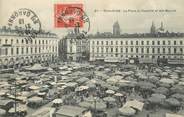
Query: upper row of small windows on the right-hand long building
138,42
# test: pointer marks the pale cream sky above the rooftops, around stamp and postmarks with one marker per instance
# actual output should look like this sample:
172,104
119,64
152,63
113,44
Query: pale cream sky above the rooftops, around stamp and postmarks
130,21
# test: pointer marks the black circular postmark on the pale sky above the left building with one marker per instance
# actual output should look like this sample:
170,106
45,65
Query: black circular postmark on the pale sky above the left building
25,22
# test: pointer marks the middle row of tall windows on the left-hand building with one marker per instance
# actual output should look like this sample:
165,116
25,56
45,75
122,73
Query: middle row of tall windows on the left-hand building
22,50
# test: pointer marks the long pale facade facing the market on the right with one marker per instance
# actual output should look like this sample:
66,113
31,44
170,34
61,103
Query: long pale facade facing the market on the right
152,49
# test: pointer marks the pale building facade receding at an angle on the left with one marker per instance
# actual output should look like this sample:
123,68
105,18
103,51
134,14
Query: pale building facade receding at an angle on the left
16,50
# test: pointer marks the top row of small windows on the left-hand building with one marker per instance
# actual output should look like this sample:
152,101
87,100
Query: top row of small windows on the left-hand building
23,41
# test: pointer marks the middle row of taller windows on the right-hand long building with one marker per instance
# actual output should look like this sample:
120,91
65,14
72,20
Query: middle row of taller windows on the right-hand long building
137,50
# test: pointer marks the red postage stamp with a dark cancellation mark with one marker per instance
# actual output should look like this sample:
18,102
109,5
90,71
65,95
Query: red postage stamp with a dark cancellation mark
68,15
